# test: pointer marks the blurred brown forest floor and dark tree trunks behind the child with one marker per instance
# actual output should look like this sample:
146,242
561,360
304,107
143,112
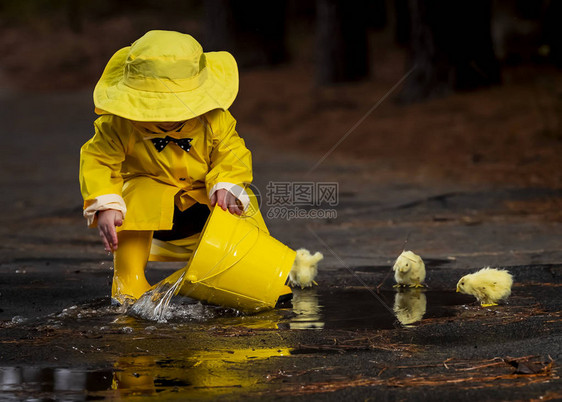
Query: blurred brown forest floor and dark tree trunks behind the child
480,100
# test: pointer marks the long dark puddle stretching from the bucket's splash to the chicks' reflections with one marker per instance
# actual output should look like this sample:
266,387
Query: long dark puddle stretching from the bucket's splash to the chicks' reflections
312,308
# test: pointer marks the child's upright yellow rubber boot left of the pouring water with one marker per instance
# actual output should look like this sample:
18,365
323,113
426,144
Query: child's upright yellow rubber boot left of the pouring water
129,261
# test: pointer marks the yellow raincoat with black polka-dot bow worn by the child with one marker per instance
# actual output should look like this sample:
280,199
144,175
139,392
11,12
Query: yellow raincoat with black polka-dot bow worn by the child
120,162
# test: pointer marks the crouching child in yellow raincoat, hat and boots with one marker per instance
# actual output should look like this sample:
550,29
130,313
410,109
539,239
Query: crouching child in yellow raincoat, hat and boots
165,149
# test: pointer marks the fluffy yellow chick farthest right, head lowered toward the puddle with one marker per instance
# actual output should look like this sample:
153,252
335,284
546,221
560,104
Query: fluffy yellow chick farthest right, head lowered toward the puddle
489,285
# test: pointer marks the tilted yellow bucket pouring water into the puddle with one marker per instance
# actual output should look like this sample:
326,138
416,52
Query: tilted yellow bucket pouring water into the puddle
238,264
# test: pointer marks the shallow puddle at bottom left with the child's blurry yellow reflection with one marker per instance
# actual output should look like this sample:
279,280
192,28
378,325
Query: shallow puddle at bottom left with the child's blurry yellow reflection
188,375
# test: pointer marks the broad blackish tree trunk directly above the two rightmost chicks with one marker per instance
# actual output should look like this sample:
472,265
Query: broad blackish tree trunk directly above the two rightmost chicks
451,48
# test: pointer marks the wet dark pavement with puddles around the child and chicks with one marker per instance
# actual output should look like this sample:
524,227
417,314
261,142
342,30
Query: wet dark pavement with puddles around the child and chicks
353,336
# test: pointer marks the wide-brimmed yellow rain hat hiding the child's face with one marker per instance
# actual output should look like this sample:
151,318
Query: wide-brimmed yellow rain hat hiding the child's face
166,76
